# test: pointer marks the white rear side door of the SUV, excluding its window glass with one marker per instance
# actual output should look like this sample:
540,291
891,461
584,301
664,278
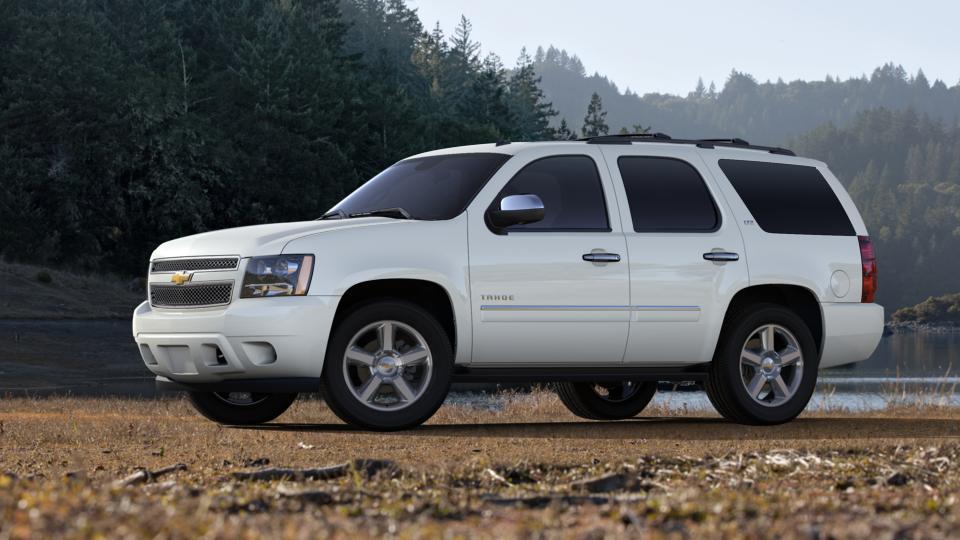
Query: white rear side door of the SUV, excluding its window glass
686,295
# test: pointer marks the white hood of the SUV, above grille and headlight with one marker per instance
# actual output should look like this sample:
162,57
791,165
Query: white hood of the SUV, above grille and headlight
259,240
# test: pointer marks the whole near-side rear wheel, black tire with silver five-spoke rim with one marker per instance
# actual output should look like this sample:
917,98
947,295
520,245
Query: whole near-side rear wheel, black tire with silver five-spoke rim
744,359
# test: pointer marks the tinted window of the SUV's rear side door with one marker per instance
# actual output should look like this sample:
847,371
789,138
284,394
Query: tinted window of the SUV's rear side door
666,195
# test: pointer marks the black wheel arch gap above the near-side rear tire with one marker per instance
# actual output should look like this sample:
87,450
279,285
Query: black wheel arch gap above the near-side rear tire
797,298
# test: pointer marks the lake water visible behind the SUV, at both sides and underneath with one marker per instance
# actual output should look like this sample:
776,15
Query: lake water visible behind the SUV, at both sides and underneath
99,357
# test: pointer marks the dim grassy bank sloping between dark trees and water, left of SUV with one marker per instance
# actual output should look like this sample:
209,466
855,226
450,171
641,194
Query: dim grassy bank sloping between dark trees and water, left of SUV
67,296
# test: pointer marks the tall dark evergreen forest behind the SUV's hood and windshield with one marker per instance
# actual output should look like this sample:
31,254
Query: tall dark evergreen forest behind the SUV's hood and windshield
123,124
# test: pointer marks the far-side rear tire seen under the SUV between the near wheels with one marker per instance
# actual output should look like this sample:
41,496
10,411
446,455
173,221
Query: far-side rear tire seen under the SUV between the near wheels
587,400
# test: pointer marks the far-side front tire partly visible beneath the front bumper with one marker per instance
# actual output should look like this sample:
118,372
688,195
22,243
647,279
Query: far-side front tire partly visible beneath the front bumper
231,409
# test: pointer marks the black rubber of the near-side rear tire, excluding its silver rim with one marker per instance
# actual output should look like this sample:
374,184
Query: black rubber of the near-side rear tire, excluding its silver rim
729,367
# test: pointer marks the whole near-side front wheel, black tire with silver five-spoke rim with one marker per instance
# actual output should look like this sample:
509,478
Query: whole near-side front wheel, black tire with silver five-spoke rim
381,385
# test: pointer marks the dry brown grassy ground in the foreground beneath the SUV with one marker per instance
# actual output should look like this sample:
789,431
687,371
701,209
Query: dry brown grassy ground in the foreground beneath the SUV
475,473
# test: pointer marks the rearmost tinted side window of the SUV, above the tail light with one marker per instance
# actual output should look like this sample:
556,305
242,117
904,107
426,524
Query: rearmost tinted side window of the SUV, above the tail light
788,199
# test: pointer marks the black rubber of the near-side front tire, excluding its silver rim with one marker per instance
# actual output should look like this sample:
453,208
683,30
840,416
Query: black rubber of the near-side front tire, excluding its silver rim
342,401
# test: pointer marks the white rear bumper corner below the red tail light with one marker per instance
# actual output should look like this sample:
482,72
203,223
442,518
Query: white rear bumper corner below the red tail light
853,331
